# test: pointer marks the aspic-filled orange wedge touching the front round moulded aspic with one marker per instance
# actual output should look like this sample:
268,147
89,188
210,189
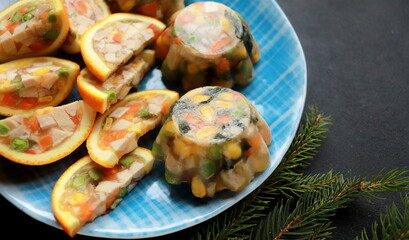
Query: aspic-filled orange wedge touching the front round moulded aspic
117,131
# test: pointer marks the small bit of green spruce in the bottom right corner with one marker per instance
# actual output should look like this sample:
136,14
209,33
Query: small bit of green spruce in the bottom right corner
394,224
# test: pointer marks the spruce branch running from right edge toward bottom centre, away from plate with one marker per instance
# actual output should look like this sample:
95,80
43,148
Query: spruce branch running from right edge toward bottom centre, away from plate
324,195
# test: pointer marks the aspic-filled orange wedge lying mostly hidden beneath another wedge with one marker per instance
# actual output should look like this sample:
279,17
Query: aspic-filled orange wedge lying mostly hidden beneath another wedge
101,95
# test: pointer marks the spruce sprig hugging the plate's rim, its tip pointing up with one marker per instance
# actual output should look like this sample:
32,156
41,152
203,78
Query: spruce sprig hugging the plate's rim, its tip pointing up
236,222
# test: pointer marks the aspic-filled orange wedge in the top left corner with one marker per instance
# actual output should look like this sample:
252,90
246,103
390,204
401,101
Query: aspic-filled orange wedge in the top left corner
29,30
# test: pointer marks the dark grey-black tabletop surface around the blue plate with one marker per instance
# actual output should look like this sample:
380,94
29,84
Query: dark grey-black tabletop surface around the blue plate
357,54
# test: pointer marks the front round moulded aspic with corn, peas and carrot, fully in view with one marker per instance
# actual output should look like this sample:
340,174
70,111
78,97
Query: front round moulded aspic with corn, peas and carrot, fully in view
215,139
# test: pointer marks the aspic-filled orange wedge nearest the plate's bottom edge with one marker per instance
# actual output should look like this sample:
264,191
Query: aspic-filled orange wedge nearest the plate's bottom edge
75,202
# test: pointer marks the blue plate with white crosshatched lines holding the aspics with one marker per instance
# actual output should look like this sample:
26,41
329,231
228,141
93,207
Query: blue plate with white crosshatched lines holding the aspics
154,207
